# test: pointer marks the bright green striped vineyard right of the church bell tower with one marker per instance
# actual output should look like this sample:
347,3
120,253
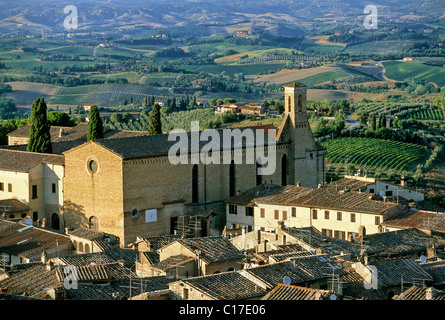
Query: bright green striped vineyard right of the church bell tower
375,154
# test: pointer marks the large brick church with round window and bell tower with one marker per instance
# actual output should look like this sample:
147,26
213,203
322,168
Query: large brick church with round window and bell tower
129,188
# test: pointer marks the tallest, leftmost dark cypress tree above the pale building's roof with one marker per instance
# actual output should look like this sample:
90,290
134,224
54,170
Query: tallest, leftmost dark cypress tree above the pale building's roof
39,136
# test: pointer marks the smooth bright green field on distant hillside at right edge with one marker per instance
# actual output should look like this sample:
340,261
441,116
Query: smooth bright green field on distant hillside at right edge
401,71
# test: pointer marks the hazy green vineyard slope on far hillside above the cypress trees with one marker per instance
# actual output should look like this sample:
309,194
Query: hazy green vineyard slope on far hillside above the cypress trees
106,95
